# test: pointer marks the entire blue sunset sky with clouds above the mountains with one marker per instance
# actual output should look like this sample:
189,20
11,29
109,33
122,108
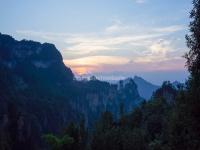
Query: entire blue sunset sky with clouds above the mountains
111,39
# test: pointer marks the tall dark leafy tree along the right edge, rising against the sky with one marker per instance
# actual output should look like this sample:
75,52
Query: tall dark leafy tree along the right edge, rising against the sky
185,120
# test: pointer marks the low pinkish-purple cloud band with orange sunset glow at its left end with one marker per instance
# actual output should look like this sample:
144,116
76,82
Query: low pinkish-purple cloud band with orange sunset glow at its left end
131,67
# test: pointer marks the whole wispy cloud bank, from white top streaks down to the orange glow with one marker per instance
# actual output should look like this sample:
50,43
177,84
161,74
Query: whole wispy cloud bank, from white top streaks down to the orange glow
117,45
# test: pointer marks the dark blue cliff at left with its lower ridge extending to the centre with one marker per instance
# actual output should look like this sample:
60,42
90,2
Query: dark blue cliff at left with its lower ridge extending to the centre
39,94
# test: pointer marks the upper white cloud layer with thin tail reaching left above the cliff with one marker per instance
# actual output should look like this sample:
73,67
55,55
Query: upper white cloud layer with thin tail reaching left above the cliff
114,38
